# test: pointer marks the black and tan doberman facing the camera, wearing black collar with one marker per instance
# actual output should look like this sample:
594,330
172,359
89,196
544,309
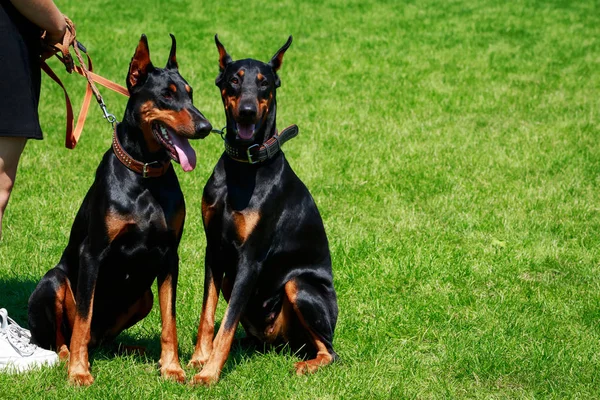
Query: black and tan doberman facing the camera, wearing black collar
266,245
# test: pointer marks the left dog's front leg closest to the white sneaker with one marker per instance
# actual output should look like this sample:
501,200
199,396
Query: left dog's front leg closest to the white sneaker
79,367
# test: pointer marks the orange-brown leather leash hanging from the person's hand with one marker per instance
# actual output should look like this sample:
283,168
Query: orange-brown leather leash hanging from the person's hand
61,51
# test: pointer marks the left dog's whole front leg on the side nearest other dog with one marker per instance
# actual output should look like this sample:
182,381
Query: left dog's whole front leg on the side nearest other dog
170,367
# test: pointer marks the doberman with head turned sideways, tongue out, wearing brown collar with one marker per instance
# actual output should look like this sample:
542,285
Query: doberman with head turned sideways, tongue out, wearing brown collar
128,229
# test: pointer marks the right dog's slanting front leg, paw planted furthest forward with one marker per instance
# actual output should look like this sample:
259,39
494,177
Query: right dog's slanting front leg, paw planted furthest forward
242,289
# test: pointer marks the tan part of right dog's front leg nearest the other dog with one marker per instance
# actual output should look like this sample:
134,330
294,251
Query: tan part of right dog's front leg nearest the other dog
206,328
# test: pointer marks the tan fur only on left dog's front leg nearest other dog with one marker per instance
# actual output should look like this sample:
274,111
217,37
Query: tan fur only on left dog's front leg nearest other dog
170,367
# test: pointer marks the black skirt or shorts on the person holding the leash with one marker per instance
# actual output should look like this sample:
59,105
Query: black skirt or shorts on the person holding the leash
20,74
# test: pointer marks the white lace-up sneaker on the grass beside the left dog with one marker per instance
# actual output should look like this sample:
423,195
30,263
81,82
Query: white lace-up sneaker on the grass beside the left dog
17,353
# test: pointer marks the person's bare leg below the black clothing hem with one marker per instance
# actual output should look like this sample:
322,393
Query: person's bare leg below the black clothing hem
10,152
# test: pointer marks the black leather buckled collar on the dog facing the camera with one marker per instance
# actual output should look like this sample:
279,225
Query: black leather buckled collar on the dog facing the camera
259,153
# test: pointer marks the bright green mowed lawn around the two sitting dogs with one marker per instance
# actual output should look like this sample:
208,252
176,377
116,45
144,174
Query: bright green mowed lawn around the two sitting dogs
452,148
